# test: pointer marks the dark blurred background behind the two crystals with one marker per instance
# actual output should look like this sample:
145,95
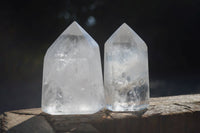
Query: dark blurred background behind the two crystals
170,28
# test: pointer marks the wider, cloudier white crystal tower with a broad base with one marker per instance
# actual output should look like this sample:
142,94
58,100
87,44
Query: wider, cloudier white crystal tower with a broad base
72,75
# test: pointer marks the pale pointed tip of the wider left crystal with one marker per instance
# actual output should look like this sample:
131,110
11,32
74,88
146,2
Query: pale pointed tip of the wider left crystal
74,29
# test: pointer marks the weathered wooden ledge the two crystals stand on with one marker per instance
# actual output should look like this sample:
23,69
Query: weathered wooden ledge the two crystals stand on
176,114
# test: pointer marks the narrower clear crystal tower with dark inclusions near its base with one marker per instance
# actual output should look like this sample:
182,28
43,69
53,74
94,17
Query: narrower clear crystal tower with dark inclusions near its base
126,79
